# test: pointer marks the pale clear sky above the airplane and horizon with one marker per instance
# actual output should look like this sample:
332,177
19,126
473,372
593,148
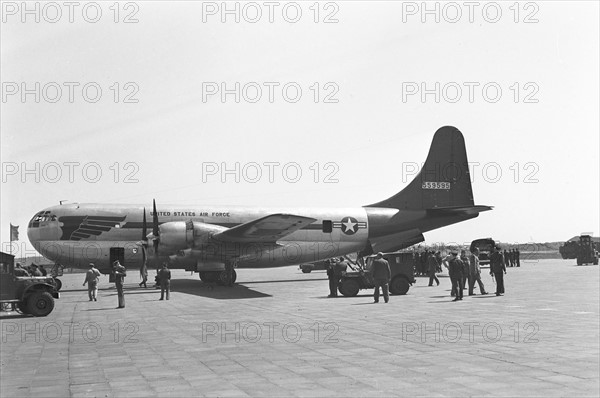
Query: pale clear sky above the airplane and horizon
329,104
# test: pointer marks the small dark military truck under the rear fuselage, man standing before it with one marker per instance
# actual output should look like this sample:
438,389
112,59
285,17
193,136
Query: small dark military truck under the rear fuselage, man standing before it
403,275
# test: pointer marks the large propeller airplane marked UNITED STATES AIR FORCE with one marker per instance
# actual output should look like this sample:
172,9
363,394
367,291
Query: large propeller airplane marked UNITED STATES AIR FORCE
214,240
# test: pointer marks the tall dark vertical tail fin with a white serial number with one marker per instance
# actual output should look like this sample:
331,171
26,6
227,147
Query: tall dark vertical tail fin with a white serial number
444,180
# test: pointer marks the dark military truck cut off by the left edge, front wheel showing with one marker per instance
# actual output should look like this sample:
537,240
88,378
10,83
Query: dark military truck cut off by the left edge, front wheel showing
32,295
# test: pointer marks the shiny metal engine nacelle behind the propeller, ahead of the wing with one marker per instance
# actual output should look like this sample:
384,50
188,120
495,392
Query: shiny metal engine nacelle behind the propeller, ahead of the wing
181,235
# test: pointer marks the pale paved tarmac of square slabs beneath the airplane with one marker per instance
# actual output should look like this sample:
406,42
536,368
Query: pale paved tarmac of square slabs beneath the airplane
277,334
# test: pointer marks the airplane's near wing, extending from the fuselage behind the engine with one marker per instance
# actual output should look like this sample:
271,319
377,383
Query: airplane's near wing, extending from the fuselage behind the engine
266,229
